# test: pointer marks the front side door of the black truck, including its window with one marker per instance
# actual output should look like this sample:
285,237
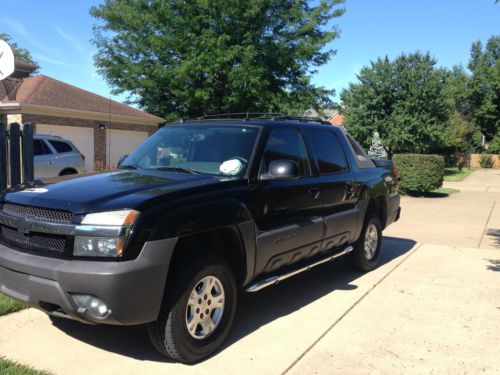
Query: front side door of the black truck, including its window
290,226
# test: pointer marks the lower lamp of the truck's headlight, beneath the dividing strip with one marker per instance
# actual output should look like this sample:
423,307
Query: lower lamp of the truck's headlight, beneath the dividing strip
98,246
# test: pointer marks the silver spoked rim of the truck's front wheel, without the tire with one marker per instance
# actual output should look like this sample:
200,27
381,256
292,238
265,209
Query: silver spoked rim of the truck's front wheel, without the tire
205,307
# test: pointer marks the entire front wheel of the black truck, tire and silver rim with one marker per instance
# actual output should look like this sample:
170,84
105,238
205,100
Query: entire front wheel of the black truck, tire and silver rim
197,312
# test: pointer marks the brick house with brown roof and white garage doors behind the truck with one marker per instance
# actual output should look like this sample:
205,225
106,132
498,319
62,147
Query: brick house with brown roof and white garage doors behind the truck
102,129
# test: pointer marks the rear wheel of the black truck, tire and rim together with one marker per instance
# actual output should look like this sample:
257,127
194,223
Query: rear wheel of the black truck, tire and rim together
366,253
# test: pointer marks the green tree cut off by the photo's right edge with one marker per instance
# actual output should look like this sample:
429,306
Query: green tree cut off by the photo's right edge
484,95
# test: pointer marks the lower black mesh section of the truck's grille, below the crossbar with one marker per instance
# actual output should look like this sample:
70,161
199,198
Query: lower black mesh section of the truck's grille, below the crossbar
38,243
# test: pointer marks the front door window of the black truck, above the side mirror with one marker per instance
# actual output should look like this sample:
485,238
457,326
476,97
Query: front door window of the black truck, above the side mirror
287,144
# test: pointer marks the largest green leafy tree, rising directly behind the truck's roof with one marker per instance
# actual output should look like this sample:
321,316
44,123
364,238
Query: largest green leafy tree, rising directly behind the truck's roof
188,58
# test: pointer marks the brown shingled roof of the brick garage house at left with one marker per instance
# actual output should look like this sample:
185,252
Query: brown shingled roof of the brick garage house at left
46,91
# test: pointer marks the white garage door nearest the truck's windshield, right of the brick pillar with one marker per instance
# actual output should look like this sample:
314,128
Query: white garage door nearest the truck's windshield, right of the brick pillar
122,142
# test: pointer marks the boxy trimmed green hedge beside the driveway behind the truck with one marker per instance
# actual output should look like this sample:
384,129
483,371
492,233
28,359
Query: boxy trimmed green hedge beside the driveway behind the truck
418,173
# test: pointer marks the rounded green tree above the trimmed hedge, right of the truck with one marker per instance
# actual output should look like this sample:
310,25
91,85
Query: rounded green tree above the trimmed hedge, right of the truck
405,100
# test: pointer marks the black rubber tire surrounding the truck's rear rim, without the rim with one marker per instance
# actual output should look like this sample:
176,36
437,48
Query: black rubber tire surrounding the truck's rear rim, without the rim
358,258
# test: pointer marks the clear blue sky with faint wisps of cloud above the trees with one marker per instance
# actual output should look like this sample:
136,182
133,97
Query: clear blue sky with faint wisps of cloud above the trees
58,34
